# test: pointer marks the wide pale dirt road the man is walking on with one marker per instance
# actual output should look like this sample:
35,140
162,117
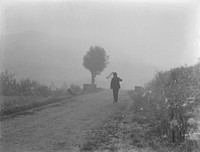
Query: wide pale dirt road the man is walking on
59,127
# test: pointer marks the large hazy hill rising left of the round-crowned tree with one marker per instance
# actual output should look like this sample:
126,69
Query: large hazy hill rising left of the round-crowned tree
42,56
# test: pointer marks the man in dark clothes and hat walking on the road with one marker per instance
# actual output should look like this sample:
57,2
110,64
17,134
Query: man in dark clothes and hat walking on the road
115,86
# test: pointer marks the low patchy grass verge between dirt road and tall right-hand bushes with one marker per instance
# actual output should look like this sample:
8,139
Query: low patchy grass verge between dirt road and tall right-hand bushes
130,130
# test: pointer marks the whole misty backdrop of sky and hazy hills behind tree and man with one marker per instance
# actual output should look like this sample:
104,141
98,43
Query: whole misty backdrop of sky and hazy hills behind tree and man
46,40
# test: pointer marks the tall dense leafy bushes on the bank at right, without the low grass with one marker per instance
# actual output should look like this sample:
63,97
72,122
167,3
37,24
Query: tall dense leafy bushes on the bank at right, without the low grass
169,103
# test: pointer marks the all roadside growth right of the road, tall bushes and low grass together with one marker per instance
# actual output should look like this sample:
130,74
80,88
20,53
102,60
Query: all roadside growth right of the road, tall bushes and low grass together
163,117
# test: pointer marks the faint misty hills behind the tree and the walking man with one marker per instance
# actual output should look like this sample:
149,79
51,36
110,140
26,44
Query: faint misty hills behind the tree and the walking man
52,58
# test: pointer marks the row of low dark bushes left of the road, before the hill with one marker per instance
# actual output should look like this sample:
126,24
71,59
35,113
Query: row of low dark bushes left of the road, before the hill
27,87
